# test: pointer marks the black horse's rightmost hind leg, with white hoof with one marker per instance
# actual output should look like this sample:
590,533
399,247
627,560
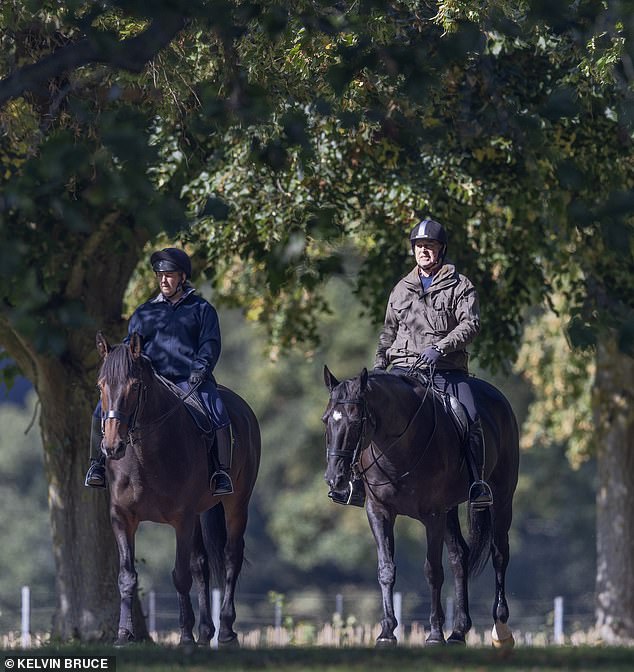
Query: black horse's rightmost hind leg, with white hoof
501,634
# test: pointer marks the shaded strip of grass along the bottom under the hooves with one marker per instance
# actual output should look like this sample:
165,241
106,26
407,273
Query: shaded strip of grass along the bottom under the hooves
154,658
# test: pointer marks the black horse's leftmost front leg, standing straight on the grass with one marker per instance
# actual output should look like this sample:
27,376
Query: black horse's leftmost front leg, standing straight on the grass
382,524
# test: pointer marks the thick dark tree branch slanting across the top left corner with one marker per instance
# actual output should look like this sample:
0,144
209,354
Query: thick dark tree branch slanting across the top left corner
131,54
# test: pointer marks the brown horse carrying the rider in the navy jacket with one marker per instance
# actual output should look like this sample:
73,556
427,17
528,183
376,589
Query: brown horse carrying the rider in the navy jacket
157,471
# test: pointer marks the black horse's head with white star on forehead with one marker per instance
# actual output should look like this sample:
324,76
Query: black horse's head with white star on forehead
346,429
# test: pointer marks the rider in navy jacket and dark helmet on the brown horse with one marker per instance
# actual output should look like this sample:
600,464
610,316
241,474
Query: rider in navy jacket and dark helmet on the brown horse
181,337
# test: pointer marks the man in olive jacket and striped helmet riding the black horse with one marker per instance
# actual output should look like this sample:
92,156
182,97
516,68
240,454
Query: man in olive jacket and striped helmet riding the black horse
432,315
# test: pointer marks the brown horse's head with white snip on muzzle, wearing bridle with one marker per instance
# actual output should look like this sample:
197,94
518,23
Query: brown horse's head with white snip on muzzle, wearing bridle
120,384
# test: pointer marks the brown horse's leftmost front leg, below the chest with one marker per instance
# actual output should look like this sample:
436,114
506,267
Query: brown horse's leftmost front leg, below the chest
124,529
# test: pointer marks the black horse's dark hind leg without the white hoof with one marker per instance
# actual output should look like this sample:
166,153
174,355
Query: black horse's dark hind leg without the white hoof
458,553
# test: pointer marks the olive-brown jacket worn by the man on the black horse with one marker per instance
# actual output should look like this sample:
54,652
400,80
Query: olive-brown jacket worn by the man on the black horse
446,315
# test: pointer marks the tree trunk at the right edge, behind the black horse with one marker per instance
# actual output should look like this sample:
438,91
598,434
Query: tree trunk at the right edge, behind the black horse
614,421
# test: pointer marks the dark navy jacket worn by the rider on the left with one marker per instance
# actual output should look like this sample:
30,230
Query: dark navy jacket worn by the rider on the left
178,338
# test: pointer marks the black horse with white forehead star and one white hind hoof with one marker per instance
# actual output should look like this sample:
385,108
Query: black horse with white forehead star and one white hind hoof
398,437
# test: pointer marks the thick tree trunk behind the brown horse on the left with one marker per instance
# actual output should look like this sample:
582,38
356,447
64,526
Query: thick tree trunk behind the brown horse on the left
83,544
